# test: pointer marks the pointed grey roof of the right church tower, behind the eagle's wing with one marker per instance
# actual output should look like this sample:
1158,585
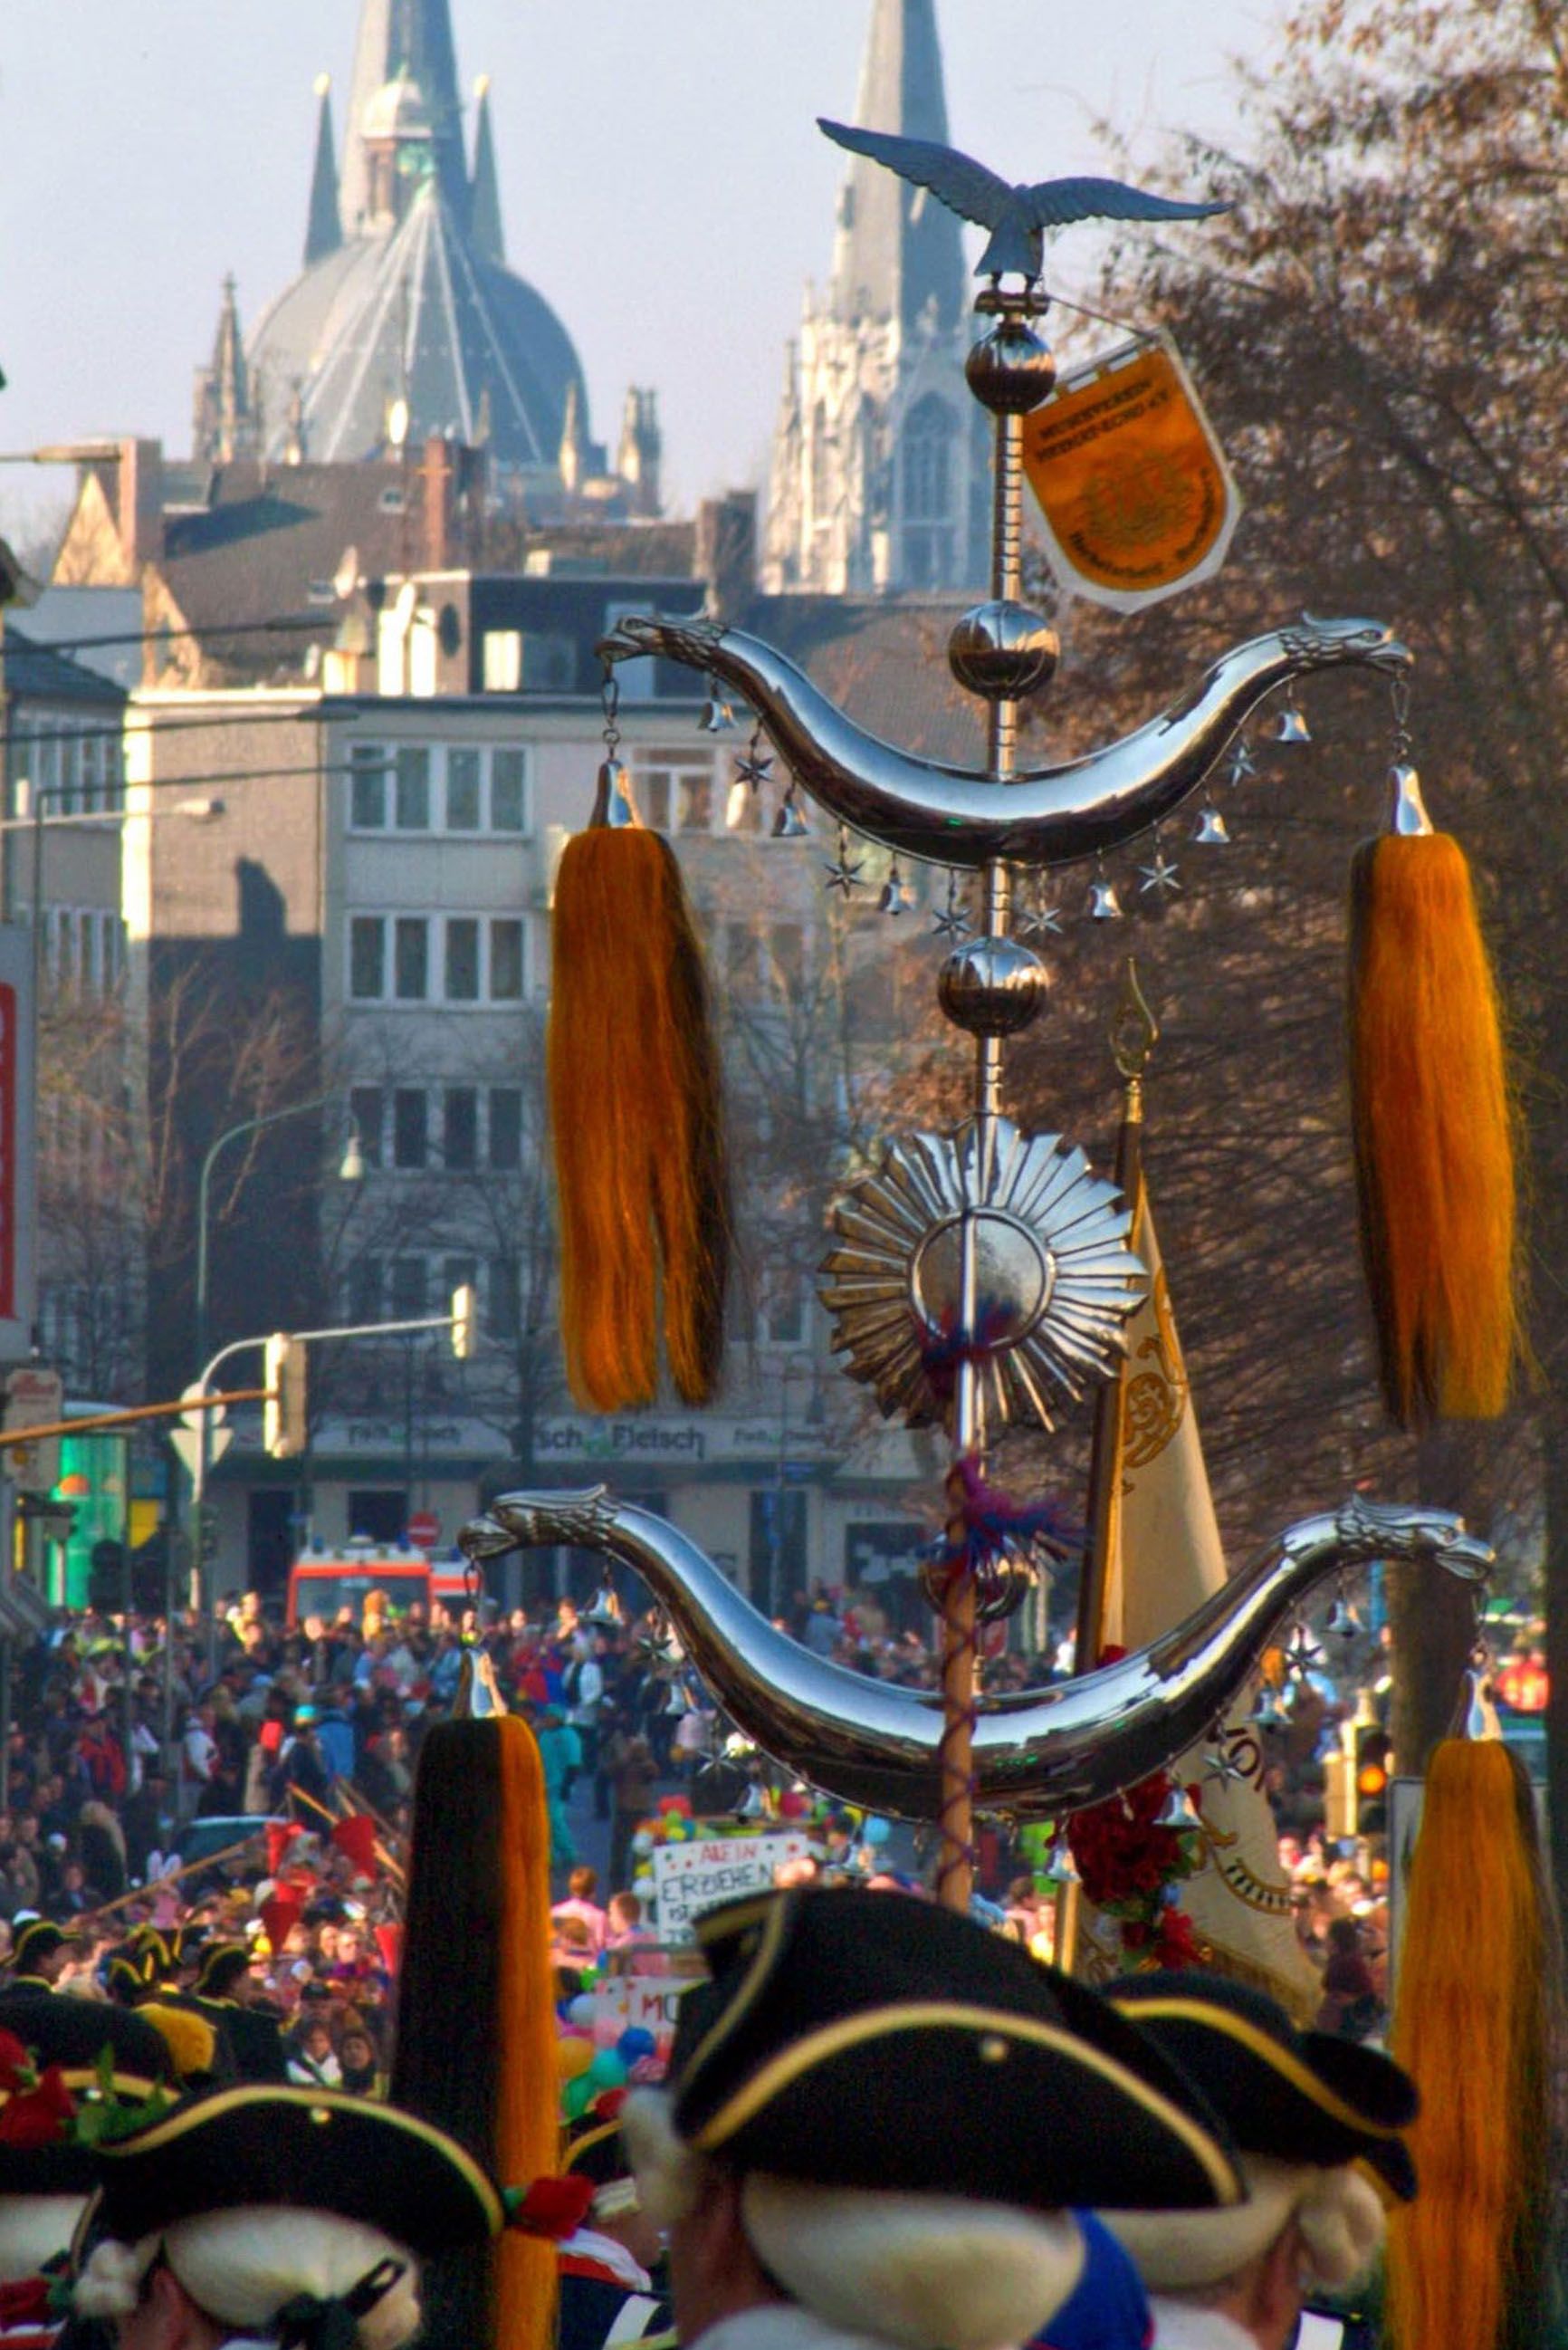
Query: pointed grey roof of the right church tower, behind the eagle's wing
899,255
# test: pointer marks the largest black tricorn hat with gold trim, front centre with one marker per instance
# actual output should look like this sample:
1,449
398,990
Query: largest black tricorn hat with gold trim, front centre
873,2041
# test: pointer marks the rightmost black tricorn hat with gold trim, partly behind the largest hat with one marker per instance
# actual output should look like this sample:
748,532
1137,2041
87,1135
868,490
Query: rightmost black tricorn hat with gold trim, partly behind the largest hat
1299,2097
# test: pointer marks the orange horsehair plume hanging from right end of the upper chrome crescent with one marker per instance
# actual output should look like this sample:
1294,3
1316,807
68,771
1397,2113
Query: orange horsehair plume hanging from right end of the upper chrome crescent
1433,1127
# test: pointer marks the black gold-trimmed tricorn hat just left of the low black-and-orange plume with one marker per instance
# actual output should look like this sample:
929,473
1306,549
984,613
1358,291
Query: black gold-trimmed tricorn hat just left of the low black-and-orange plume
304,2149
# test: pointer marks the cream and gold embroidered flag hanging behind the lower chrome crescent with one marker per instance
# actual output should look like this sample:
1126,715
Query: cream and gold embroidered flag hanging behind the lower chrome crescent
1165,1559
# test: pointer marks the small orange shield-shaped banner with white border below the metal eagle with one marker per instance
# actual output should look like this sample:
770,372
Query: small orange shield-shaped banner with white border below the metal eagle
1132,483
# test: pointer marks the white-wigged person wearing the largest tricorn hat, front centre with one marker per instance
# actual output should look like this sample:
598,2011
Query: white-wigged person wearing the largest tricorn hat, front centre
876,2121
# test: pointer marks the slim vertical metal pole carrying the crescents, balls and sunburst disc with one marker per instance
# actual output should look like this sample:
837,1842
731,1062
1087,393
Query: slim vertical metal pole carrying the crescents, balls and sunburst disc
958,1860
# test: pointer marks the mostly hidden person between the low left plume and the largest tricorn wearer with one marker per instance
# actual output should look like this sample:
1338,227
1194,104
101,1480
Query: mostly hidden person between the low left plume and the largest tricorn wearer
608,2292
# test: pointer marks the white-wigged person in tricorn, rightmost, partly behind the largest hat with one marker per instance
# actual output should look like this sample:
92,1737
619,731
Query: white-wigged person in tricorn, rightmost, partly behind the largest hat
1313,2116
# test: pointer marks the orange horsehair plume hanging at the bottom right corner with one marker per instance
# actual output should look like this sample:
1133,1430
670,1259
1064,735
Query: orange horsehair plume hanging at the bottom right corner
1473,2027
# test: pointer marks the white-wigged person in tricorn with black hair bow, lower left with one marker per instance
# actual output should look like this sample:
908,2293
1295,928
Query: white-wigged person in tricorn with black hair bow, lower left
279,2215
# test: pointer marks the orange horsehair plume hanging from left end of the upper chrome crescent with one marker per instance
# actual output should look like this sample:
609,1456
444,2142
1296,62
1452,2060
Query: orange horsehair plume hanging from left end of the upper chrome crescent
636,1117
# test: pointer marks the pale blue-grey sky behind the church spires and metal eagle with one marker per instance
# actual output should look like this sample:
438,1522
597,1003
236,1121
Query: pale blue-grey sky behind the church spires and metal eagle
662,177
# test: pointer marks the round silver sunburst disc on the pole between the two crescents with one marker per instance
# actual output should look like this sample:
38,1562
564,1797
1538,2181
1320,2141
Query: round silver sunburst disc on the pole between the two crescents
1054,1287
